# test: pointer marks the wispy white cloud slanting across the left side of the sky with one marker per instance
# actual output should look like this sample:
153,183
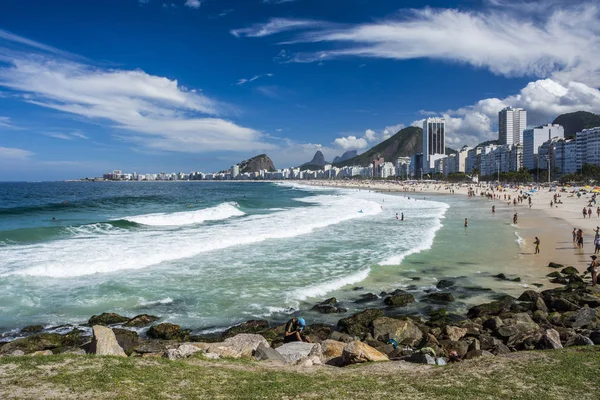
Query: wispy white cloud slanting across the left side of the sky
150,111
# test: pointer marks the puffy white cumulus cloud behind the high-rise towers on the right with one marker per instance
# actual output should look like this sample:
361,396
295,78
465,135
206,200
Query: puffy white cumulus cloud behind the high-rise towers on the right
543,99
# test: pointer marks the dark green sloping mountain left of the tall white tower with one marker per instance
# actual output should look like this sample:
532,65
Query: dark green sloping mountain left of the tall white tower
406,143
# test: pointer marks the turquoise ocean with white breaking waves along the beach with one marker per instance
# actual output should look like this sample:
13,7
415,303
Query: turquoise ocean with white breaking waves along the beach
208,255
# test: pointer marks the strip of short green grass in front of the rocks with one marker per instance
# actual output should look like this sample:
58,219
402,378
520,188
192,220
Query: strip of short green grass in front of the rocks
558,374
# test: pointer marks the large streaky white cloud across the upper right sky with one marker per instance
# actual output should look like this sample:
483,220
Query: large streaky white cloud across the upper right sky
562,43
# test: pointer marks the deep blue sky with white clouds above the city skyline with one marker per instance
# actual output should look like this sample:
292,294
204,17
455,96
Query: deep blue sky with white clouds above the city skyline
186,85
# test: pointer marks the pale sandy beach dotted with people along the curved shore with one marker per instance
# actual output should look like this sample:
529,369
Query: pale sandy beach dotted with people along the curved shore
552,225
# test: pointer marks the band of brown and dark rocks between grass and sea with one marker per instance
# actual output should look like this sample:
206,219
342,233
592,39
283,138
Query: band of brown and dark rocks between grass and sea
567,315
